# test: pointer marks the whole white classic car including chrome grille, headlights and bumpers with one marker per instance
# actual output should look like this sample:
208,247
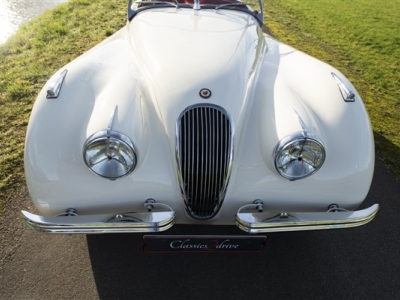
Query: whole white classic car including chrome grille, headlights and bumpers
192,114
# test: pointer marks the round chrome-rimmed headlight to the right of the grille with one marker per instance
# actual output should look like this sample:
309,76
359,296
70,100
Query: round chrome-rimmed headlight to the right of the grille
299,156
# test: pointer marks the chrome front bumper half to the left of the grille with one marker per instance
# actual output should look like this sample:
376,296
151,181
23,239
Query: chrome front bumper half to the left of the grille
117,223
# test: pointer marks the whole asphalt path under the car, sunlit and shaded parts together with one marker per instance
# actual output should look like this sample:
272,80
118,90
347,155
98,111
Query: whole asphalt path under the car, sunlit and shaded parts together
359,263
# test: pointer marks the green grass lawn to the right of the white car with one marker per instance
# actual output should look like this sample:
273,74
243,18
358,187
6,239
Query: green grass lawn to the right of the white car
361,38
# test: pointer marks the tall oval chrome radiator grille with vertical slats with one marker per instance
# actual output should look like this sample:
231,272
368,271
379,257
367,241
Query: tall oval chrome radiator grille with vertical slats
204,154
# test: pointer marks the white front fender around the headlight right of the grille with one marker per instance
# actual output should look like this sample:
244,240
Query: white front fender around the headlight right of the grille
295,92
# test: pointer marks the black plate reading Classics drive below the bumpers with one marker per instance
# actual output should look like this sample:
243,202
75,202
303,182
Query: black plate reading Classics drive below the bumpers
203,243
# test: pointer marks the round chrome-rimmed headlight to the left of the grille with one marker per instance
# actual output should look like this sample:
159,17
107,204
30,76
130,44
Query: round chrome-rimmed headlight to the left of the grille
109,154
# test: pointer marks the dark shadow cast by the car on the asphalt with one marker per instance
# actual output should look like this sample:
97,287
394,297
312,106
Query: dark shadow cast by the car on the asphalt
358,263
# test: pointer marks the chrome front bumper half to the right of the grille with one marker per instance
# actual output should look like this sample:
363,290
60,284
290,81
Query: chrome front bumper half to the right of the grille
296,221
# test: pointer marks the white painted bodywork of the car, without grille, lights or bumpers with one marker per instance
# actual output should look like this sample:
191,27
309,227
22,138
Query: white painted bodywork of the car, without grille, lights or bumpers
152,70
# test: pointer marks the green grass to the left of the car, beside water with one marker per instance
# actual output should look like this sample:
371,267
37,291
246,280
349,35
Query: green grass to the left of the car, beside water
29,58
